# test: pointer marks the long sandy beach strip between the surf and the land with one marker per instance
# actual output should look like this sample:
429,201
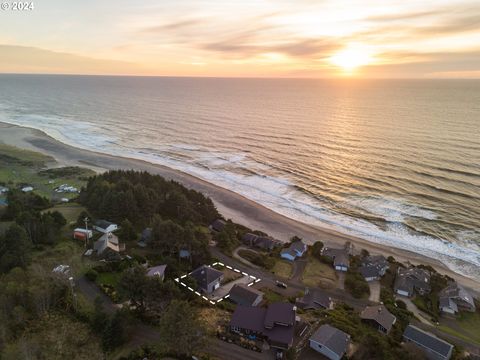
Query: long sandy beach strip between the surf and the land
230,204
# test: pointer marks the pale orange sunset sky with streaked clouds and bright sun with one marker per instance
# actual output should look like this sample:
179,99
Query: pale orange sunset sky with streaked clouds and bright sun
229,38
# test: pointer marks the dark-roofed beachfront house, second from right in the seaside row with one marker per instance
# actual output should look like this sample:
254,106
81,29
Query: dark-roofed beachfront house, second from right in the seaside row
411,280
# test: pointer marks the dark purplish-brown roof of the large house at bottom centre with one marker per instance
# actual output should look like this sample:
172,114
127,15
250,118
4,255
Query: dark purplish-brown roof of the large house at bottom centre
253,318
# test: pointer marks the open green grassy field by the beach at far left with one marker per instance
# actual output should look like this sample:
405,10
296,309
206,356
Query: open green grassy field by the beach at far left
22,167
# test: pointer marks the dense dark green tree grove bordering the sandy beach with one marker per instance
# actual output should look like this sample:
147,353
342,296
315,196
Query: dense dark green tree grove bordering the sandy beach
139,196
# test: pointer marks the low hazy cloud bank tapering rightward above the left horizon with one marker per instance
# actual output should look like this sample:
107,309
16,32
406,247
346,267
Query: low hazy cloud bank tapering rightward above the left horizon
23,59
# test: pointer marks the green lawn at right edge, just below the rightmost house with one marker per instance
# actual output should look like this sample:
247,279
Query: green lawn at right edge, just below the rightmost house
466,326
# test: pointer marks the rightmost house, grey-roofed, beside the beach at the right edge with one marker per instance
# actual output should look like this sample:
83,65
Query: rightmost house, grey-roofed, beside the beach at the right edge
455,298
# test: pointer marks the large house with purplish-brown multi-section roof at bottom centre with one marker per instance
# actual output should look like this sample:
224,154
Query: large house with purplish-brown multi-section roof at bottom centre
275,324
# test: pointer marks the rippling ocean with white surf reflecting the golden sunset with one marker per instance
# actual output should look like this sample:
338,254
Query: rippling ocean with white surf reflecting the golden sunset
395,162
